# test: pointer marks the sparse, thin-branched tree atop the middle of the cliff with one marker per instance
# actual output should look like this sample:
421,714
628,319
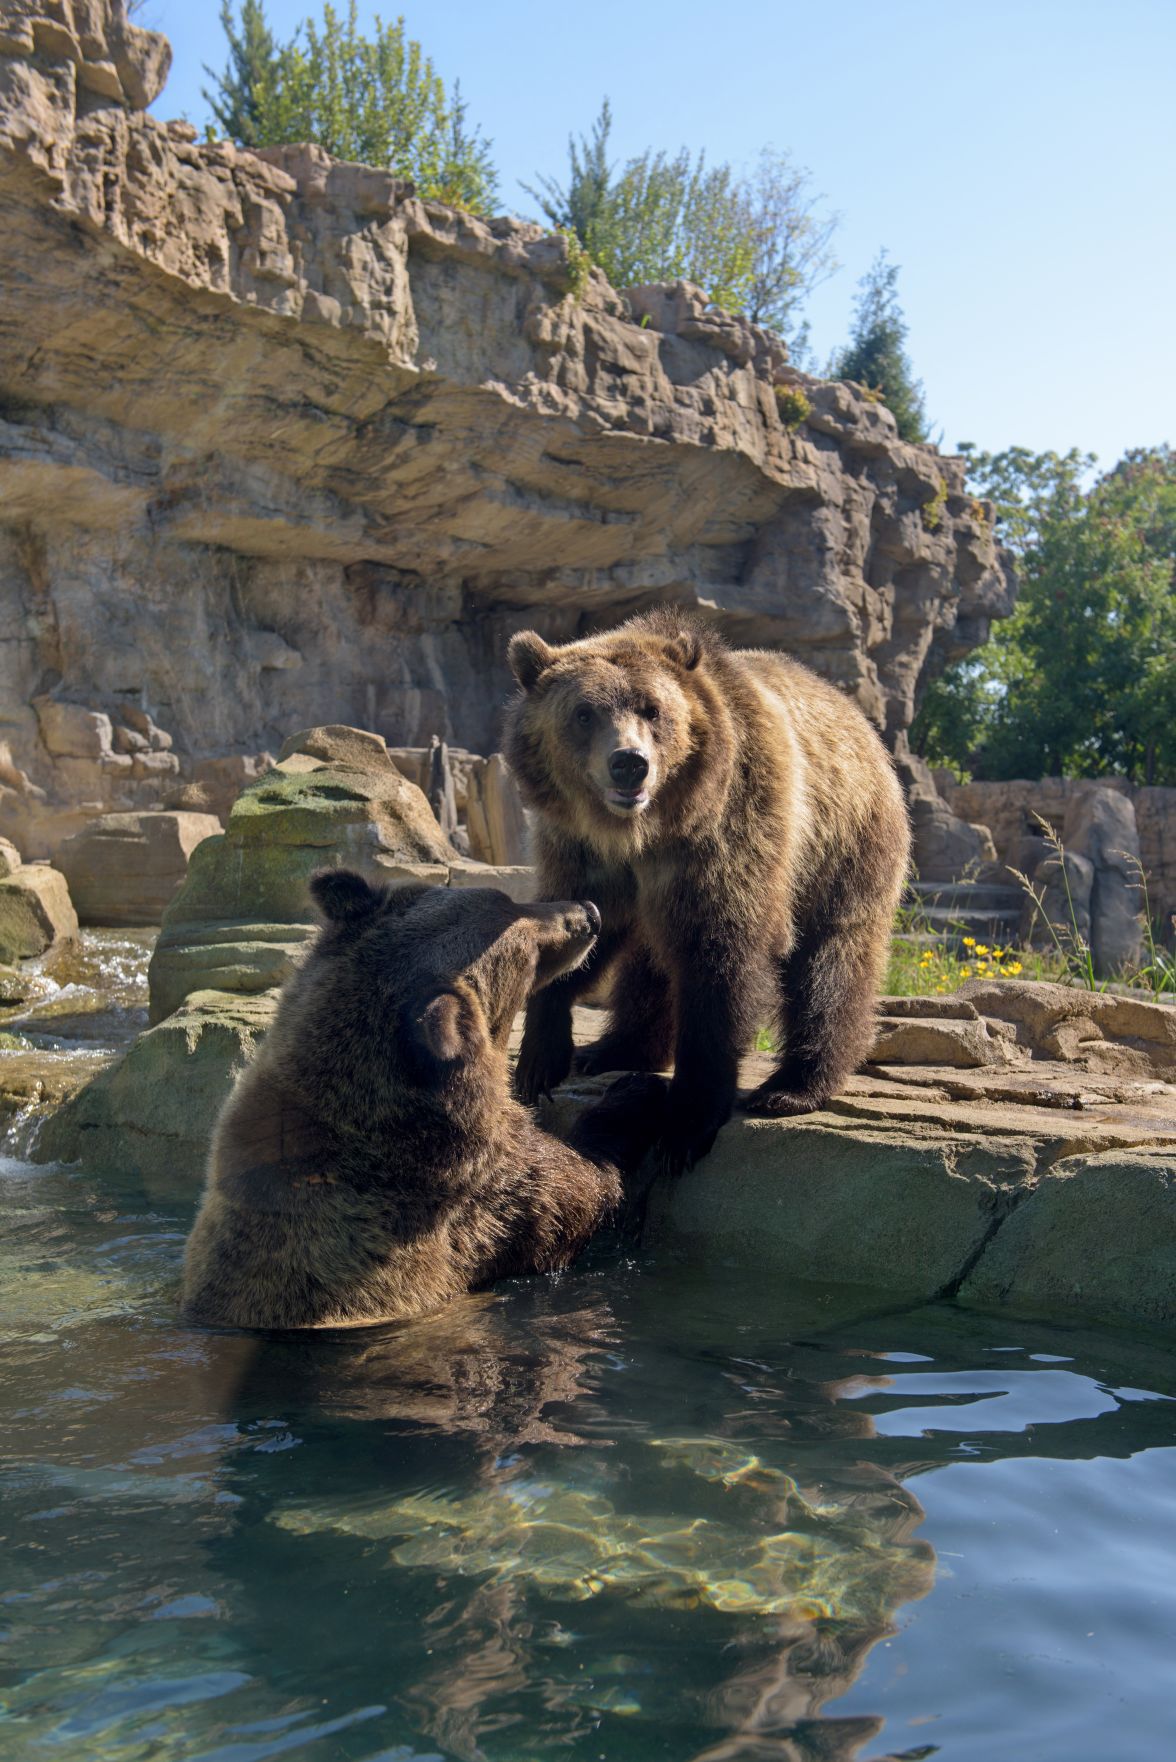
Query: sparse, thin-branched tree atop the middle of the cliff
754,246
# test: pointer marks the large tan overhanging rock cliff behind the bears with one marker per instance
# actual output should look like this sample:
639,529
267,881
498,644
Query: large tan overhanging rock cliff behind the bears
285,445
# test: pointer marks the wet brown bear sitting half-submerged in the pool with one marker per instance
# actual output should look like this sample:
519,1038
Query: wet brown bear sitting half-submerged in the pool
373,1164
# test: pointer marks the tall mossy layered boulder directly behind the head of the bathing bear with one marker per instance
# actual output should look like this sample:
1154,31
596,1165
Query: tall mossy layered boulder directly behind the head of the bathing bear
244,914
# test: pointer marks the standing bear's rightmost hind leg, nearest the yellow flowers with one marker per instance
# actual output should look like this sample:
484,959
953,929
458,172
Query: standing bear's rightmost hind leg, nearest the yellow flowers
830,991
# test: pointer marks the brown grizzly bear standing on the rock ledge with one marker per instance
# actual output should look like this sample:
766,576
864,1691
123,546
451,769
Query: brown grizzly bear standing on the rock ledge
745,836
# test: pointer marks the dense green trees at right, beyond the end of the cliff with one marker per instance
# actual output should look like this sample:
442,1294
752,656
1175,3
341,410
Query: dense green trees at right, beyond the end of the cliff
1082,679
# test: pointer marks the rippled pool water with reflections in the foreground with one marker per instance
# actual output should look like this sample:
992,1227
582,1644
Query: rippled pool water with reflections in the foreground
634,1514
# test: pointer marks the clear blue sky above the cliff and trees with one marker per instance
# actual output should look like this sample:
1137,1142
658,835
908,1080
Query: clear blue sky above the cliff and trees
1016,158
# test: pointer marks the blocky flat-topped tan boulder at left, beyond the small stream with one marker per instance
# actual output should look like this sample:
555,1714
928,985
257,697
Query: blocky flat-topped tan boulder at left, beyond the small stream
124,870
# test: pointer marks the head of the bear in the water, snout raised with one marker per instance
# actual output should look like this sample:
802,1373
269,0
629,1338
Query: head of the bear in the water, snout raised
408,996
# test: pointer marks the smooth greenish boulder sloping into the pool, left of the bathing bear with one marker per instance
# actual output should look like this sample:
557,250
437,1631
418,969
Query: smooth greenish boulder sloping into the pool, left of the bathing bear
151,1116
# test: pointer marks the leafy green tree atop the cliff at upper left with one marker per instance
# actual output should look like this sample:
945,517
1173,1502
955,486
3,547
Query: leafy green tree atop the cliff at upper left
371,100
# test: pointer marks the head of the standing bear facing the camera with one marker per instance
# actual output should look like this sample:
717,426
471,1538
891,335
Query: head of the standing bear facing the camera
620,736
